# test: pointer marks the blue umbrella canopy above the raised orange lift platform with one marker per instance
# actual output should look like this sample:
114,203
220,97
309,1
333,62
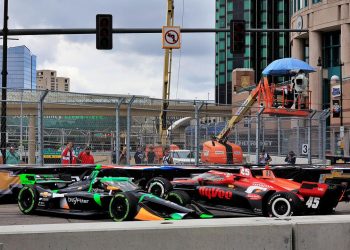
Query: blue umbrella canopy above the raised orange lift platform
286,67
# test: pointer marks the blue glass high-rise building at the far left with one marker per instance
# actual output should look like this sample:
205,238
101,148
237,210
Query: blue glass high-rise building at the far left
21,68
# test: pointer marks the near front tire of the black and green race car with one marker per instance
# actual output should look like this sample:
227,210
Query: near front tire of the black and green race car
123,207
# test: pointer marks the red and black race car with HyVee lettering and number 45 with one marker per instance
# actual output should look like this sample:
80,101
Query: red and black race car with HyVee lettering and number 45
224,194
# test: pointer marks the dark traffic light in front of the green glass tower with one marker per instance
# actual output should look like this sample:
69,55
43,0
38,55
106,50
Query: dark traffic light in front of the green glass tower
237,36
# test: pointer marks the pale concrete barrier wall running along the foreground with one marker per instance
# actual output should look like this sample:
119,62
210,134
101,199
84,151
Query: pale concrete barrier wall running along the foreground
308,232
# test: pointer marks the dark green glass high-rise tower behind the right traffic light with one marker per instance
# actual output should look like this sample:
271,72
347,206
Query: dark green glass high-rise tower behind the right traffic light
261,48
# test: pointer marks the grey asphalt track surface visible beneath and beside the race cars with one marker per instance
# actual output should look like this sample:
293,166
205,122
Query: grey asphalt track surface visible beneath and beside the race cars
10,215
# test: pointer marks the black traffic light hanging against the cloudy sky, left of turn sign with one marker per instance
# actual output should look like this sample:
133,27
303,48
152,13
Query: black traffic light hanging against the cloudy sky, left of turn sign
104,31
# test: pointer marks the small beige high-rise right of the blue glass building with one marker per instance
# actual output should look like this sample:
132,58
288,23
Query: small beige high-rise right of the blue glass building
48,79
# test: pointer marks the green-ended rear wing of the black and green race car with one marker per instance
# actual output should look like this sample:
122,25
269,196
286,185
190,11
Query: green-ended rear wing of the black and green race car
30,179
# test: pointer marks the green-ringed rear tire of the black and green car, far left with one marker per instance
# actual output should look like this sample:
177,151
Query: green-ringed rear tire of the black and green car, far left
28,199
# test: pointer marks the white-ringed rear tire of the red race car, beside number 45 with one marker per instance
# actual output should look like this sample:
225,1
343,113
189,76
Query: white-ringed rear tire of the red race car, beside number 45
281,204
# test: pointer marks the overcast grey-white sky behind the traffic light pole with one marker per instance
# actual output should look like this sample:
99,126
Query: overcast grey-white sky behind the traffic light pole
135,65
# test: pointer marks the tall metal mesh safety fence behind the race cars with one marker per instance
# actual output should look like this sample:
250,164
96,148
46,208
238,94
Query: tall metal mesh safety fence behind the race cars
41,124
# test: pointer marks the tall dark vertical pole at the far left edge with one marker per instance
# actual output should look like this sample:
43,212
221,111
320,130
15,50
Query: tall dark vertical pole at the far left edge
4,82
